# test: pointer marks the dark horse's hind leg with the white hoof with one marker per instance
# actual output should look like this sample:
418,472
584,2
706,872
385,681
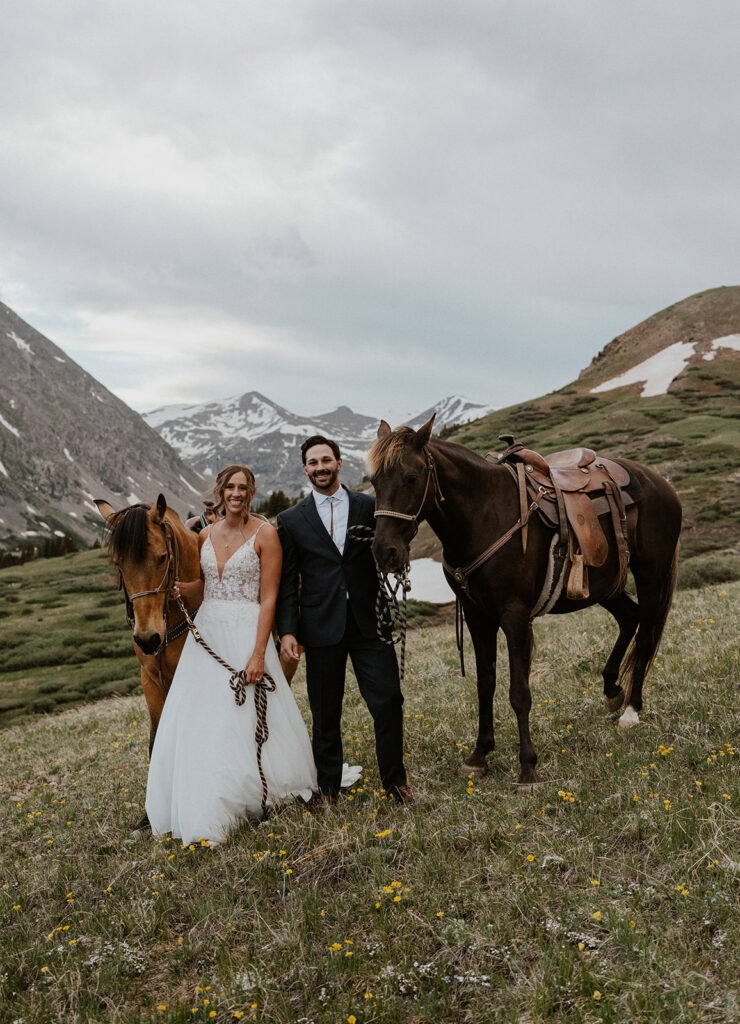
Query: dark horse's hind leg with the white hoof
656,585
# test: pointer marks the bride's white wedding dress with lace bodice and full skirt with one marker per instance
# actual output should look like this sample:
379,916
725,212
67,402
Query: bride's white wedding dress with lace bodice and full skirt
204,777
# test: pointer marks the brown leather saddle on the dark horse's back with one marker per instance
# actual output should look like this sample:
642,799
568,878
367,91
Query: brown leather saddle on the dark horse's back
576,489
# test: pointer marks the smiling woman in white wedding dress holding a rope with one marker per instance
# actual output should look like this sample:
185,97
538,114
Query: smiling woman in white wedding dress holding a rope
204,777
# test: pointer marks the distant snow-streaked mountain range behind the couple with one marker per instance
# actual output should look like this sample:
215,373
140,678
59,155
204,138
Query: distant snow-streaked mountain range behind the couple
251,429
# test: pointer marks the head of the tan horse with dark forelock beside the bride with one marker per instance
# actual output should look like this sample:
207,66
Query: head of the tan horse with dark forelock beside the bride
144,553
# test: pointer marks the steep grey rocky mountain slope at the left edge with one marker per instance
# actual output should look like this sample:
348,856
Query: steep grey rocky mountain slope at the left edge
66,440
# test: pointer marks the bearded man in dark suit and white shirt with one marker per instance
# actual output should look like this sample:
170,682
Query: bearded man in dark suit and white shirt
328,602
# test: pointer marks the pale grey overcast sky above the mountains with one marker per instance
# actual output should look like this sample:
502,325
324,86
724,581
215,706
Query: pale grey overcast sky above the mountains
374,203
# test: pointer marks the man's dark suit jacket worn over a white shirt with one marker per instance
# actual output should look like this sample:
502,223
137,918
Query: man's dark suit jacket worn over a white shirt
317,579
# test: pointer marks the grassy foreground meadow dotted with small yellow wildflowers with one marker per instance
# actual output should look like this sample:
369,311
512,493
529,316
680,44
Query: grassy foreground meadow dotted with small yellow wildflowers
610,893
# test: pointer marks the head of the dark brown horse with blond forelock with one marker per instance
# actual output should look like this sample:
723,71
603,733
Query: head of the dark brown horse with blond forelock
403,475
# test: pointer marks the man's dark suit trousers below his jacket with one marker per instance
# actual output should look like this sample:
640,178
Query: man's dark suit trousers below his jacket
377,671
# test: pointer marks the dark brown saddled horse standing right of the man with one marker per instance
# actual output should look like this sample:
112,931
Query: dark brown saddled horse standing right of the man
470,503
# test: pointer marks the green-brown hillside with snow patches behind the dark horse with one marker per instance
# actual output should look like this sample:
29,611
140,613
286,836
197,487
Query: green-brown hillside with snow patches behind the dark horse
666,394
